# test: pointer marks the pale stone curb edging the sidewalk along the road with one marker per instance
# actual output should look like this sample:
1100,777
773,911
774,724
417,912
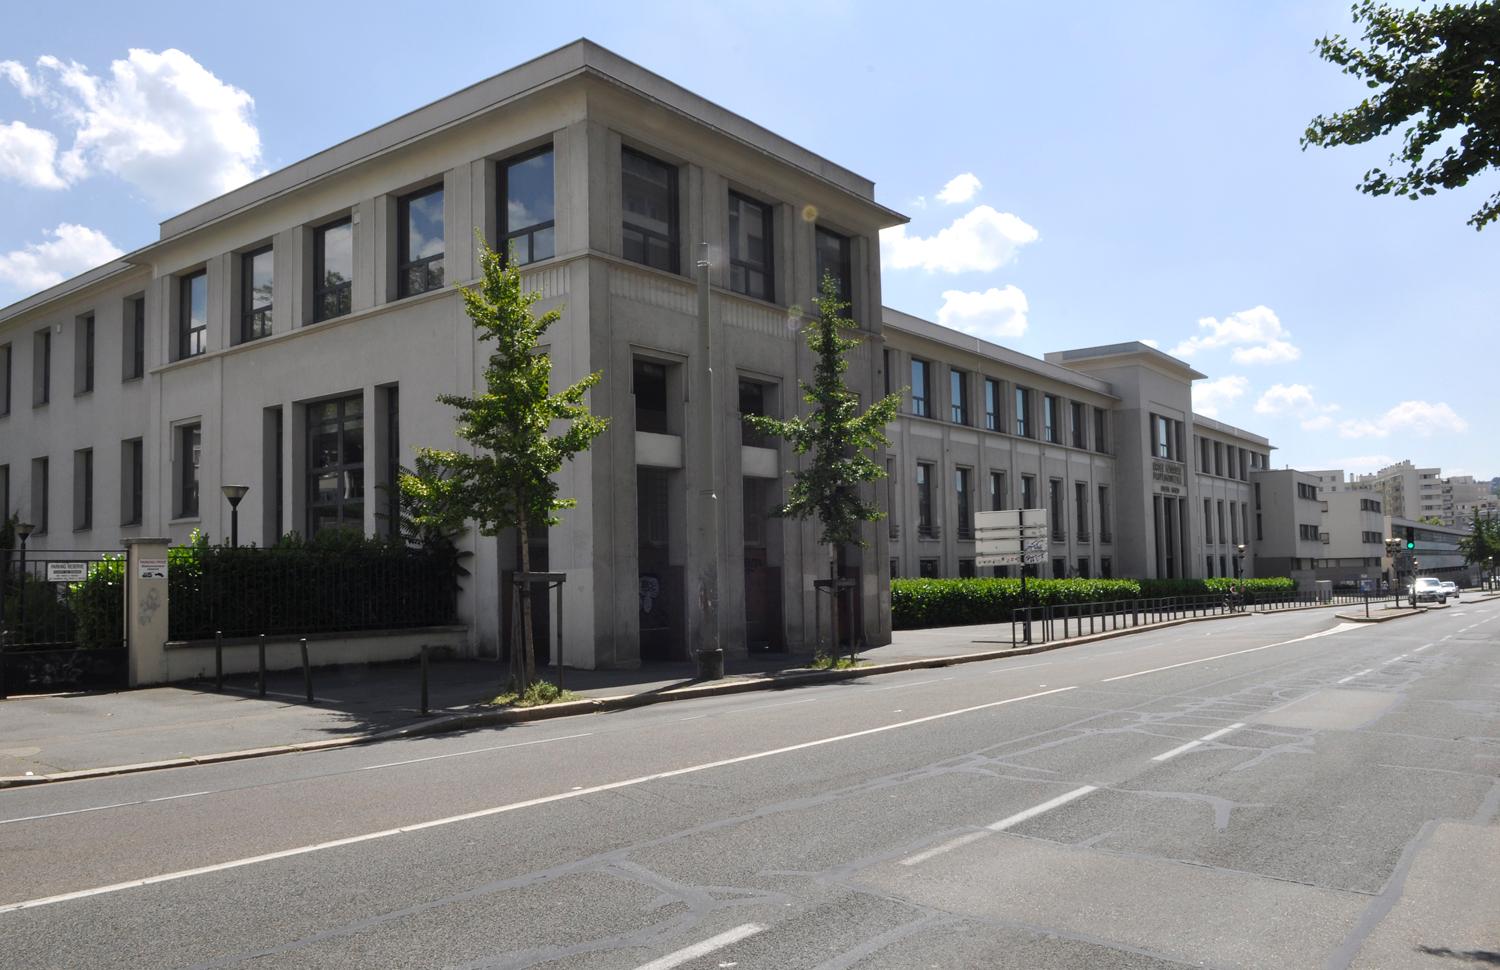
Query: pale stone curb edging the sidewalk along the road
599,705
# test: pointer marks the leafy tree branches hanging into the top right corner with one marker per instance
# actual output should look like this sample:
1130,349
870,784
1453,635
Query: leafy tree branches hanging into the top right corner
1438,76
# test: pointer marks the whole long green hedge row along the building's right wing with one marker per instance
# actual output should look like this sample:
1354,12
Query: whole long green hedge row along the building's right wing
917,603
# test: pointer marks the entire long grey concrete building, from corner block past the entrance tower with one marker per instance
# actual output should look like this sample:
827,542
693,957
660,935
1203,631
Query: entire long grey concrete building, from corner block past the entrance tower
293,335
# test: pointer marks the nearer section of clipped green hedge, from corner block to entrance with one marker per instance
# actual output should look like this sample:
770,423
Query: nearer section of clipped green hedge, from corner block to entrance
961,602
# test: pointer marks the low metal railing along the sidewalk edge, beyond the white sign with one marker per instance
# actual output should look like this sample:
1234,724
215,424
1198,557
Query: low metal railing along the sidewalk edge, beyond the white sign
1043,624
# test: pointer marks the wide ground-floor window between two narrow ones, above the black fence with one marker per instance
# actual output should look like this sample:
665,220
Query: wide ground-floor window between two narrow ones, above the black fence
337,466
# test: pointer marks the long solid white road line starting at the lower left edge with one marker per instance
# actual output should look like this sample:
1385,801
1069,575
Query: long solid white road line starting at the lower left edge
497,810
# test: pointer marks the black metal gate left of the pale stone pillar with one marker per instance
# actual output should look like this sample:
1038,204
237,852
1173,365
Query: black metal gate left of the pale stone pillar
62,621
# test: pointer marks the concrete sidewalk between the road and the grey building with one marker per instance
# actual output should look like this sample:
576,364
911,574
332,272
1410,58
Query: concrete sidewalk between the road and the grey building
55,737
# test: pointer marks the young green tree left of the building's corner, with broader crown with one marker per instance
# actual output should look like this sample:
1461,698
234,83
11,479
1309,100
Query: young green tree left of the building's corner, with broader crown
506,481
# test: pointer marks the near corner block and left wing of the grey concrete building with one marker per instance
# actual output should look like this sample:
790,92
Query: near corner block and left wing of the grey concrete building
293,337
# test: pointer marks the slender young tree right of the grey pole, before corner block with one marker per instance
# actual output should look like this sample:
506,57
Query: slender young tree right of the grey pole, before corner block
839,439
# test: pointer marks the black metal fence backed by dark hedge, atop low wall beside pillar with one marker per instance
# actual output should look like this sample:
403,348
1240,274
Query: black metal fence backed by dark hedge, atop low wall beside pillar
304,591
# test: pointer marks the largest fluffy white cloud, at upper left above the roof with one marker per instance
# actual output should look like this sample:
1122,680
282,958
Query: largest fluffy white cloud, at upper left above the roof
161,122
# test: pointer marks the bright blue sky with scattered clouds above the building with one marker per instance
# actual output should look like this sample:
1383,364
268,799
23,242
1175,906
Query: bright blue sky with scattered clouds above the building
1076,175
